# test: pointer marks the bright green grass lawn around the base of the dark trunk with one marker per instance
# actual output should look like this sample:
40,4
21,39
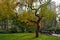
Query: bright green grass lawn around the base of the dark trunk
26,36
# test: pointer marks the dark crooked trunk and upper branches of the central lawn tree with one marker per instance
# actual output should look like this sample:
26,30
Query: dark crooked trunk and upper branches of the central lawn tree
40,9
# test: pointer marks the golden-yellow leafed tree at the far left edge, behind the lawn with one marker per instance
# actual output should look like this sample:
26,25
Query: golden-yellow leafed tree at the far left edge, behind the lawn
6,14
